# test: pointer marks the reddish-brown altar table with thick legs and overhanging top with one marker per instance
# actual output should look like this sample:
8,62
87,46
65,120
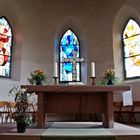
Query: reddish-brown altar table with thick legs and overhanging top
76,100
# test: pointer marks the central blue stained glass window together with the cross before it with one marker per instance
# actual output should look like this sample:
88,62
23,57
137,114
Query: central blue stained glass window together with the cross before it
69,57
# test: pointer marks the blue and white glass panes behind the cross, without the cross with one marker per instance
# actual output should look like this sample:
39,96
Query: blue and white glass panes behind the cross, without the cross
68,43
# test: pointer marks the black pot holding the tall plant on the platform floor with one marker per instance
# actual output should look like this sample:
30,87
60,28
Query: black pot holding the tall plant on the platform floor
21,126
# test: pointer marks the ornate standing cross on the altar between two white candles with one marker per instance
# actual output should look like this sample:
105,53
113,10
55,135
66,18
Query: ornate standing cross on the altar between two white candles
73,60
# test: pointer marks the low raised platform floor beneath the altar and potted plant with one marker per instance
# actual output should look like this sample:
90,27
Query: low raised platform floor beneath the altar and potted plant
71,131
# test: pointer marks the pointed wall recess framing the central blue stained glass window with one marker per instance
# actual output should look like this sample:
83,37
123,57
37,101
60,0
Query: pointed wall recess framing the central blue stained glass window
78,30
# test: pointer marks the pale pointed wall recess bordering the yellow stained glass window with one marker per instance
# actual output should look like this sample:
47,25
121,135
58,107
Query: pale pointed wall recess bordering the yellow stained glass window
123,16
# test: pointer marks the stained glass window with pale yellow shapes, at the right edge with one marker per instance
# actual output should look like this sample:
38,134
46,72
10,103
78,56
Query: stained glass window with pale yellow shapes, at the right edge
131,41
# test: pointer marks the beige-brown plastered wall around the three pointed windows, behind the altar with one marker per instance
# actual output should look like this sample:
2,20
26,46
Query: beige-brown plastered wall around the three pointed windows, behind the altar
37,27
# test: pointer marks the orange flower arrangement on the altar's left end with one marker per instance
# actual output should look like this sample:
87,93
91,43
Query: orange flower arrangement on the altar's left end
37,77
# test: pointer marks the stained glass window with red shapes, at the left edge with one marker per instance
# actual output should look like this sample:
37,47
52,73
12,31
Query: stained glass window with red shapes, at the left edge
5,48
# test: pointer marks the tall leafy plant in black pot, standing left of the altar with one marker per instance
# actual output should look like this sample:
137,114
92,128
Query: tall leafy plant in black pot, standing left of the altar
21,115
